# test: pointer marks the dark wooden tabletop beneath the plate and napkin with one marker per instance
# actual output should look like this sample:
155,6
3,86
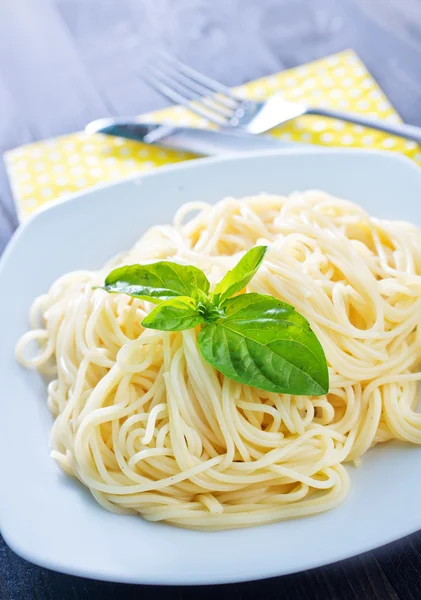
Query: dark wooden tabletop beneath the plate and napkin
65,62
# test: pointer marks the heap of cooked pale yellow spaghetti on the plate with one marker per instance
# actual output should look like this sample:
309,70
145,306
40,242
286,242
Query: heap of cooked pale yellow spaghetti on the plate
150,427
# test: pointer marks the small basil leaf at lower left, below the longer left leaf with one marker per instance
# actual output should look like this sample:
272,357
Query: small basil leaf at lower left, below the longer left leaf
174,315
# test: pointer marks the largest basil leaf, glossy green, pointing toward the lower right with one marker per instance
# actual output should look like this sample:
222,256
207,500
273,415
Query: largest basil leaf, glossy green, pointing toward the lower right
265,343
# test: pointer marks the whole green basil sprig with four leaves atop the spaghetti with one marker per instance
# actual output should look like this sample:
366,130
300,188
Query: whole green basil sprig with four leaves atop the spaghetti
251,338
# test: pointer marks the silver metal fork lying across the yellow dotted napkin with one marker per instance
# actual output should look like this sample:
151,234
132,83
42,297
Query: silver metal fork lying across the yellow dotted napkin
219,105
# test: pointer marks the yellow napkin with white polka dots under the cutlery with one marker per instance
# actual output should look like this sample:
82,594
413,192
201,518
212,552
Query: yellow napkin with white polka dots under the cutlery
47,170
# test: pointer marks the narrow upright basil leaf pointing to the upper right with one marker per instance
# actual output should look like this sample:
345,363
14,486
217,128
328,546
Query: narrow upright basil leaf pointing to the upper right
236,279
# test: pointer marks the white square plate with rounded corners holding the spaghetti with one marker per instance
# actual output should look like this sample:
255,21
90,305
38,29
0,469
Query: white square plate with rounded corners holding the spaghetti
51,519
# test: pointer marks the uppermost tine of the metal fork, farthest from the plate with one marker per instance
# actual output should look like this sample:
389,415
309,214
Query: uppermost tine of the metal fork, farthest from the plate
193,79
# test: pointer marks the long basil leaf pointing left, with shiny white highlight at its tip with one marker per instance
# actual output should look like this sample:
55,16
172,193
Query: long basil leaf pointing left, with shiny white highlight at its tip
158,281
